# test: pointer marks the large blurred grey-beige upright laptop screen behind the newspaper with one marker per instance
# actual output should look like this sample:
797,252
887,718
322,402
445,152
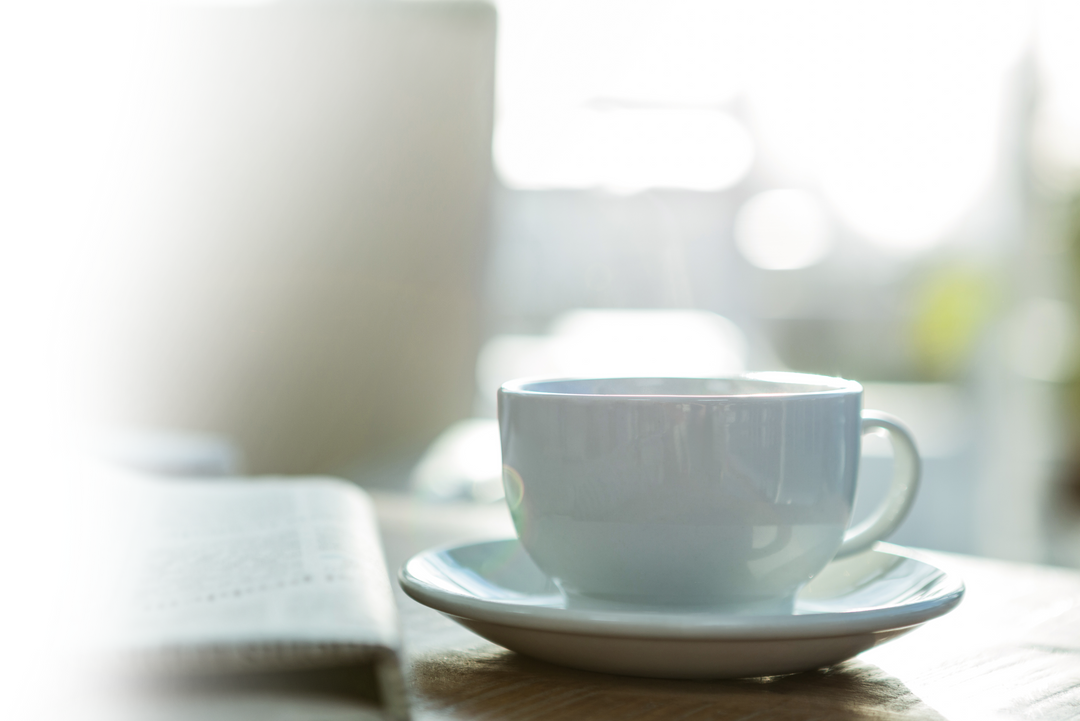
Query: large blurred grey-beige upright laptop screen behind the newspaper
293,240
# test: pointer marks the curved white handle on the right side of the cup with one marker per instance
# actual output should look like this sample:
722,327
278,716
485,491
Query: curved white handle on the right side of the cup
908,470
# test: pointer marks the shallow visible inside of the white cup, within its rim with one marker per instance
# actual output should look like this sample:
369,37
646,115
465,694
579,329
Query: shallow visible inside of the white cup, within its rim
764,385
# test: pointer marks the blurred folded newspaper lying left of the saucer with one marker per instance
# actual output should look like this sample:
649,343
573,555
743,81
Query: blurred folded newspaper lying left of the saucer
238,577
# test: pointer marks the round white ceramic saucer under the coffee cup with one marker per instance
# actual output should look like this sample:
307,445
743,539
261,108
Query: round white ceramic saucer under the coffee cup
496,591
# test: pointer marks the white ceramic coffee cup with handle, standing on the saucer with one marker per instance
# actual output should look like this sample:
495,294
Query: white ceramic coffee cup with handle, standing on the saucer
724,493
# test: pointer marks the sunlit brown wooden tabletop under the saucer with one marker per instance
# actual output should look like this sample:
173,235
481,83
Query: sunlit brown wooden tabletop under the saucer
1011,650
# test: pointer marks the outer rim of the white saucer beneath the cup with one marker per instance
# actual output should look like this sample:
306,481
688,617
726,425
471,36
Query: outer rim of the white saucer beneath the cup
697,625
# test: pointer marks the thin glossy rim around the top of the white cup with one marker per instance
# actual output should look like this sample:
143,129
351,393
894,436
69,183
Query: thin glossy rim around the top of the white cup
833,387
